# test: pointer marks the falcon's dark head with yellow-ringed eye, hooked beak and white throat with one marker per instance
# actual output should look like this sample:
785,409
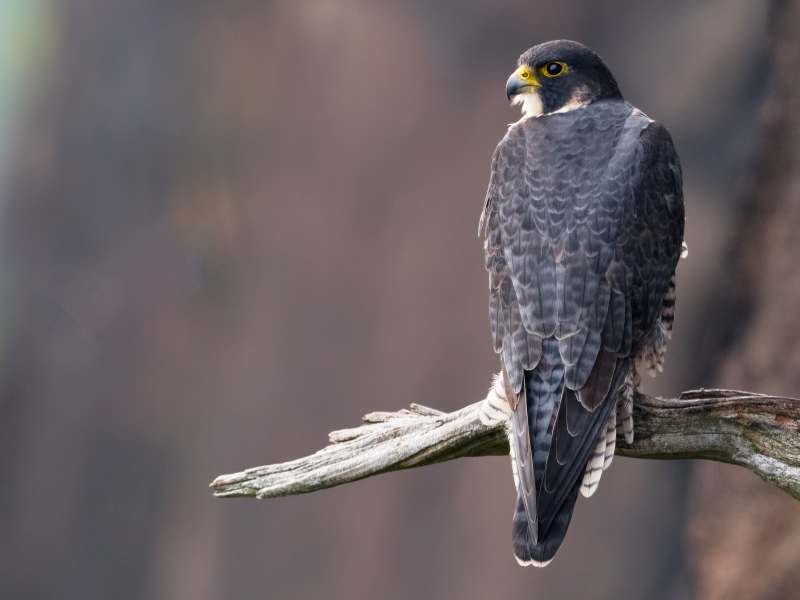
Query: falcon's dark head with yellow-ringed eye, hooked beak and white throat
560,76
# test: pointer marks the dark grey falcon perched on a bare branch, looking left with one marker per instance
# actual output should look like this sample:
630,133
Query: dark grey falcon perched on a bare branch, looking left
583,225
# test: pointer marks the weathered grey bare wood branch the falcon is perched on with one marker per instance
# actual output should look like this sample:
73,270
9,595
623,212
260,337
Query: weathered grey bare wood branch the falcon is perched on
750,430
